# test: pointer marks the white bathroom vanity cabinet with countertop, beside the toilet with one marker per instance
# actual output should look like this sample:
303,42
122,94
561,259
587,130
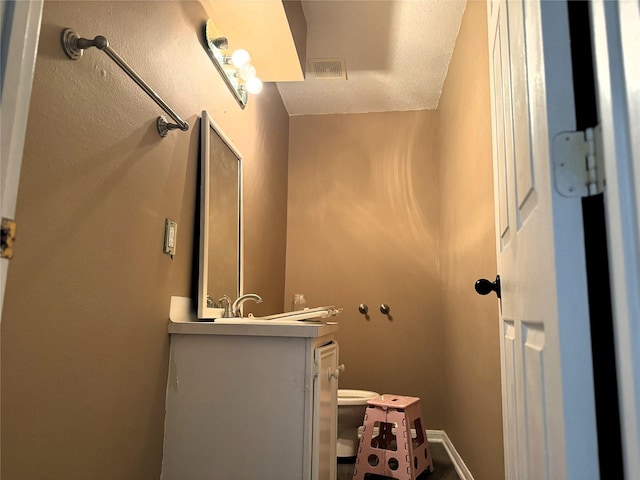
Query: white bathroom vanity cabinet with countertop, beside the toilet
251,402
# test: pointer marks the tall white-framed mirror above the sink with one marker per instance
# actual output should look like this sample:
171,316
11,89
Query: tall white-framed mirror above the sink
220,220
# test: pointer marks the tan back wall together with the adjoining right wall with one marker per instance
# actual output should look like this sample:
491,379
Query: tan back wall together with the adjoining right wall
397,208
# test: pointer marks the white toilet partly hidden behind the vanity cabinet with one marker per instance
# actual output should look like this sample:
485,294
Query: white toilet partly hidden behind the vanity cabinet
351,407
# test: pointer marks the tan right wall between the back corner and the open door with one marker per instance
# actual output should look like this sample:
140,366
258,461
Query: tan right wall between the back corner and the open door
472,411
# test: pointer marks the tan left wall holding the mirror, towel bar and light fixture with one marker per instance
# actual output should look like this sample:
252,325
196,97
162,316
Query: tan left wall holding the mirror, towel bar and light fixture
84,326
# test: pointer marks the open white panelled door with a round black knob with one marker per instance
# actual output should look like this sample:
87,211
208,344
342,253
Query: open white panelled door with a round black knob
547,381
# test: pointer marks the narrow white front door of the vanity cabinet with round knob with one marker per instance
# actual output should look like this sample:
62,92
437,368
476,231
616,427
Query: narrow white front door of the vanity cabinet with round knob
325,410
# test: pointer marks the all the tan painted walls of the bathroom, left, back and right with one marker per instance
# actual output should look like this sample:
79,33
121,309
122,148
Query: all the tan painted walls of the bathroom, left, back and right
84,343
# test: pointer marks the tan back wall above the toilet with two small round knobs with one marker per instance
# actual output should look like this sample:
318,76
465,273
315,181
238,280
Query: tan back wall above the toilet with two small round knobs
364,205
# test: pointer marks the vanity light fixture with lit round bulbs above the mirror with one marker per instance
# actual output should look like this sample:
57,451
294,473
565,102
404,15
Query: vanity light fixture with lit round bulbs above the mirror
235,67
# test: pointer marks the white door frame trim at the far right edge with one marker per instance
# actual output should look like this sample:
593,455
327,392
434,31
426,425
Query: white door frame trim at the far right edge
616,40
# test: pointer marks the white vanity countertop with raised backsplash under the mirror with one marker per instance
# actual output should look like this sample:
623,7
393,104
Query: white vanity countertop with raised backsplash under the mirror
182,320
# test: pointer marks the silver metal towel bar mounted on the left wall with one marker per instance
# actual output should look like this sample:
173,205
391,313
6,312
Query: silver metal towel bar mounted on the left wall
74,47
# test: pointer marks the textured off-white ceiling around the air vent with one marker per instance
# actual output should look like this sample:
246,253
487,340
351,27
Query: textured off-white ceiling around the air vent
396,55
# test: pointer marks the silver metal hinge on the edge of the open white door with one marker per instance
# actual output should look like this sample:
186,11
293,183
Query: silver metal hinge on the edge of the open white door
578,163
